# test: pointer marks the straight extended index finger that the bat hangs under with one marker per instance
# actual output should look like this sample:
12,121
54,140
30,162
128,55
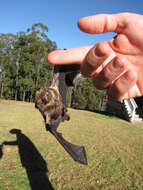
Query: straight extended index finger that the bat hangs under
69,56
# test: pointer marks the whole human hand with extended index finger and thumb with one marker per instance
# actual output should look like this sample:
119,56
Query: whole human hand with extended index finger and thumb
116,64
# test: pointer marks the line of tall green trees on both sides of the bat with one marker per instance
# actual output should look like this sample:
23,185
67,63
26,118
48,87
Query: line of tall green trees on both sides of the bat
24,69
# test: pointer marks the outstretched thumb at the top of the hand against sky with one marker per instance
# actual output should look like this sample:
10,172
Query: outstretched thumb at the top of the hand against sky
103,23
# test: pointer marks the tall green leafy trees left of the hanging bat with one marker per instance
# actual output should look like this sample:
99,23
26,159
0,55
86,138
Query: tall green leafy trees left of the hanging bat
23,68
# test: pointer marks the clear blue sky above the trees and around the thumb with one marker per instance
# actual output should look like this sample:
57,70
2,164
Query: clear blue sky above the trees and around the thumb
61,17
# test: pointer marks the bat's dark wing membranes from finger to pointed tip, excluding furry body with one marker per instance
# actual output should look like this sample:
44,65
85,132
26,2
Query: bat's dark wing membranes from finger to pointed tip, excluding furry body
63,77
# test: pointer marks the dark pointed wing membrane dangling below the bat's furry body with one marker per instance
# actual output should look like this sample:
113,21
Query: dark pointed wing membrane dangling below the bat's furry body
78,153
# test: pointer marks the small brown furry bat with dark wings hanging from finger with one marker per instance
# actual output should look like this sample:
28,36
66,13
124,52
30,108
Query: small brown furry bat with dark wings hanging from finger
51,102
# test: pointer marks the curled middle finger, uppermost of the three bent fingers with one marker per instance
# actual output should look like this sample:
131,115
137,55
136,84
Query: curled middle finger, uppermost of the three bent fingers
96,59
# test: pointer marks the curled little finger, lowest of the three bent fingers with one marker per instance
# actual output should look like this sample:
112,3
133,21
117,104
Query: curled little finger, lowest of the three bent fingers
120,88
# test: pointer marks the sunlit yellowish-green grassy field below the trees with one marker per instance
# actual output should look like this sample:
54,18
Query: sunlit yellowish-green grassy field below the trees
32,158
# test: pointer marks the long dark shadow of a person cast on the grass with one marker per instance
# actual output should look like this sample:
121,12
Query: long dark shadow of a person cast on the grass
32,161
